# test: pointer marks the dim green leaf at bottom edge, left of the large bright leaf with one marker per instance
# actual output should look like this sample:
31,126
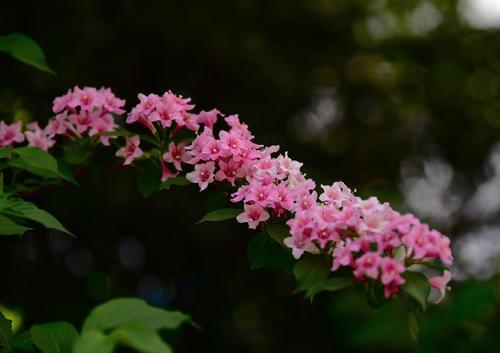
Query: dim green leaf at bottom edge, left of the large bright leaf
54,337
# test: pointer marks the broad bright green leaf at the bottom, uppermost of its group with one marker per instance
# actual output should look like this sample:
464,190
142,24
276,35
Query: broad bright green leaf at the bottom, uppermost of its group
117,312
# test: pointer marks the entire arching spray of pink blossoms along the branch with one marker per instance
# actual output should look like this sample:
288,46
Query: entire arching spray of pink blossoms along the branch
367,236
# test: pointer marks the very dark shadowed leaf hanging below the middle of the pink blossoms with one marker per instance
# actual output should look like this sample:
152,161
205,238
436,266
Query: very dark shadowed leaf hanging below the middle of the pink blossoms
263,251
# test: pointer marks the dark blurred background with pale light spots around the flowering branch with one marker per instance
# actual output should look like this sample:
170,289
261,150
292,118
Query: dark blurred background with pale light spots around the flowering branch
398,98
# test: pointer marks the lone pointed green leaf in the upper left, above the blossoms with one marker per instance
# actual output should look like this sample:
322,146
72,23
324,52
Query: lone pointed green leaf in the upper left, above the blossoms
25,49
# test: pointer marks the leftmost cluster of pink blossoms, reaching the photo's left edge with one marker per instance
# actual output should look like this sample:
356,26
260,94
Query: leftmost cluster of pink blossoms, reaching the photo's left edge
80,112
